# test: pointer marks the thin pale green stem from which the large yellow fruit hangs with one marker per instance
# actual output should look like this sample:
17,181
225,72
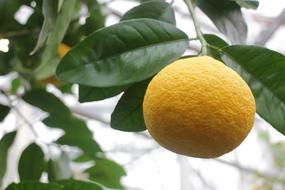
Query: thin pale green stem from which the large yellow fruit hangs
197,27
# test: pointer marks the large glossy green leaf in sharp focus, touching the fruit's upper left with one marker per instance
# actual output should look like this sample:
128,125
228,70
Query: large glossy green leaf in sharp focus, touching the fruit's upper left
123,53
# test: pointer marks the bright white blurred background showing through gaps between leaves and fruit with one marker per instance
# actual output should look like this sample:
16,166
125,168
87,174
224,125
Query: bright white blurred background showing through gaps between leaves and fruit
160,169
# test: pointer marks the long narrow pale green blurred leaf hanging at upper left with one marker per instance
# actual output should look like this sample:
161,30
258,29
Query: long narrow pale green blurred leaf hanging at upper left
50,58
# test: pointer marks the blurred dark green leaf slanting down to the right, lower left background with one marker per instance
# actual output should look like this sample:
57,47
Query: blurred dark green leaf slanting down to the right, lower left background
76,130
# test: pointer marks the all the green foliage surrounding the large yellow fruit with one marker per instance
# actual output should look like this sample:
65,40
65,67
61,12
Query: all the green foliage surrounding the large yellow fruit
106,61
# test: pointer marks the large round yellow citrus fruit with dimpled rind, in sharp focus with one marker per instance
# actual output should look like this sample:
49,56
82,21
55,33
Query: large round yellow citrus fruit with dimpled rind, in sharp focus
198,107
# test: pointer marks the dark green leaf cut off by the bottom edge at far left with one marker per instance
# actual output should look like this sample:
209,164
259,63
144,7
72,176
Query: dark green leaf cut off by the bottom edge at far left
34,186
